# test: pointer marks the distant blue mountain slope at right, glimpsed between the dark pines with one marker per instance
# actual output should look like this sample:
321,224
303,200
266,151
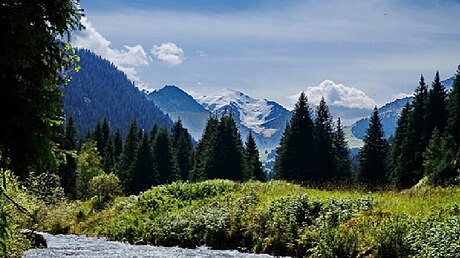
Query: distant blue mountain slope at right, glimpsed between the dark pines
389,114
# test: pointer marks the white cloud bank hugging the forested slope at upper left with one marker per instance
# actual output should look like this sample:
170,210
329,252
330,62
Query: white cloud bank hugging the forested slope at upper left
128,60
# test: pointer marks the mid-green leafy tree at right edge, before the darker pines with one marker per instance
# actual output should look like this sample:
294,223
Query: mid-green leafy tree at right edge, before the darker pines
440,158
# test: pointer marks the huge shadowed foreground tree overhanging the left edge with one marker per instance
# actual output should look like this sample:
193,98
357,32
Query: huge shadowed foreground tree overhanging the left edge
33,58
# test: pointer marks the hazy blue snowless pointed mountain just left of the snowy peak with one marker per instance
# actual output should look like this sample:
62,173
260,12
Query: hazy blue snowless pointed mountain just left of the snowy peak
178,104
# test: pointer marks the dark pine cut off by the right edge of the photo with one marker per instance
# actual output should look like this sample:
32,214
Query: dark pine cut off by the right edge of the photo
453,109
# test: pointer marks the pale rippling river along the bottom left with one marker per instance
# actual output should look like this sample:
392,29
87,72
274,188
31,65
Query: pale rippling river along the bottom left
89,247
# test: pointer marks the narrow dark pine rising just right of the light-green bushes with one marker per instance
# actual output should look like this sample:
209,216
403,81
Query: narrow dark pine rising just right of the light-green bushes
128,158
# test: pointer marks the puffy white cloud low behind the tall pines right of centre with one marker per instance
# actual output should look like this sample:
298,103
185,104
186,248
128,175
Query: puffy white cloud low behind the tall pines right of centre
338,95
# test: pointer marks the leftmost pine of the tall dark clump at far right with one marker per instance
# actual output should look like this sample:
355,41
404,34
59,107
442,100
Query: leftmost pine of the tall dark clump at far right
401,154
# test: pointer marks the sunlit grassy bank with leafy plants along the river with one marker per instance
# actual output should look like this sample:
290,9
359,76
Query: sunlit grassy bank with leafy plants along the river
277,218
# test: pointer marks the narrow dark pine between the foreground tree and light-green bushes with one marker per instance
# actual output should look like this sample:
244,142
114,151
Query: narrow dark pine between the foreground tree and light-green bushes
67,171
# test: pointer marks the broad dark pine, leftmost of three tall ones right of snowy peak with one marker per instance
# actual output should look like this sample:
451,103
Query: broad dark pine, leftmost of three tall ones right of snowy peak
296,152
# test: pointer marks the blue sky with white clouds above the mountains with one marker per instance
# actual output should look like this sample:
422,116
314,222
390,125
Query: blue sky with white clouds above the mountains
355,53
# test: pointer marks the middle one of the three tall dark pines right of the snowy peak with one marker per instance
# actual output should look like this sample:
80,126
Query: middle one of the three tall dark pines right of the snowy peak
325,166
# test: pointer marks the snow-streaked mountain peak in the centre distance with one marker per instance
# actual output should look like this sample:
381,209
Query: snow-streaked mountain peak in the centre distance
266,119
